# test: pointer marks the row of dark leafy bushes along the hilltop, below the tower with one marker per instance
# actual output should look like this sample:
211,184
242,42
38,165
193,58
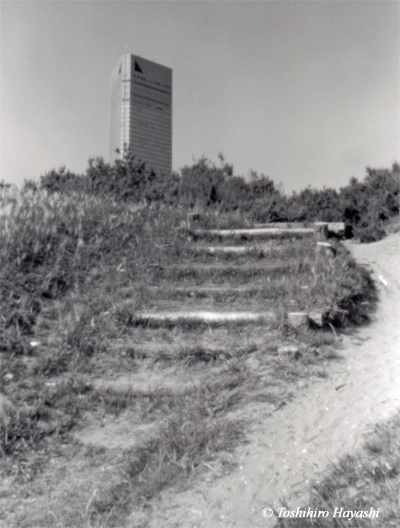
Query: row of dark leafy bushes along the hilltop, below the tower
364,206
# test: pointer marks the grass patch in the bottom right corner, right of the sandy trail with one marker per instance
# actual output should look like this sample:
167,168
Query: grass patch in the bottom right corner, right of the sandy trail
371,477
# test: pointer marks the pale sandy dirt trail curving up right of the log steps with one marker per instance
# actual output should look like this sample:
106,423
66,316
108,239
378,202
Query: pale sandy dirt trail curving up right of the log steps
327,419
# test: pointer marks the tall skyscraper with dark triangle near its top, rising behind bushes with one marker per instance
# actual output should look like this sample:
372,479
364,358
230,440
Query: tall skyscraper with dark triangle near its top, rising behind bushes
141,112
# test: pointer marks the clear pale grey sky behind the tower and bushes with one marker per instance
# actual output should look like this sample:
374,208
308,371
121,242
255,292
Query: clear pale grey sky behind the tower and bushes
304,92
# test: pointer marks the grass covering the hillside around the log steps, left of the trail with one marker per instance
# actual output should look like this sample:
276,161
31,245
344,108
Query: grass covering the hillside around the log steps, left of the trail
74,272
